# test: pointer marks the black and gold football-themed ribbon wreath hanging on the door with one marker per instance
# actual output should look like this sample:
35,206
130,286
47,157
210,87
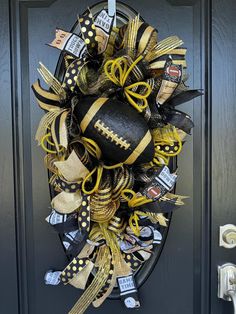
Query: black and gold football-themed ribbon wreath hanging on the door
112,132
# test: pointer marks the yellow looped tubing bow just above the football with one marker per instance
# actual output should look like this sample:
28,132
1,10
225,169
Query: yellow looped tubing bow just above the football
117,71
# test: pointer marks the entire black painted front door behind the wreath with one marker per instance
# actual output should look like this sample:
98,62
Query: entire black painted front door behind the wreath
185,278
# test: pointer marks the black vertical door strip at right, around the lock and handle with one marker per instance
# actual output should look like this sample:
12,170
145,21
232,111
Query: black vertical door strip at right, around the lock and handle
223,137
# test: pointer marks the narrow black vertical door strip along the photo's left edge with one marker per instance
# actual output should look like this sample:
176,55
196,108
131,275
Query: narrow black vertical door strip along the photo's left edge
8,265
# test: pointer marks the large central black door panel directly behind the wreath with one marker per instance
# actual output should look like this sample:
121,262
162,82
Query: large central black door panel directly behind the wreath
175,270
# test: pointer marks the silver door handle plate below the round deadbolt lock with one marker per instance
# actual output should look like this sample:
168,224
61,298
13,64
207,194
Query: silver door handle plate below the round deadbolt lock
227,283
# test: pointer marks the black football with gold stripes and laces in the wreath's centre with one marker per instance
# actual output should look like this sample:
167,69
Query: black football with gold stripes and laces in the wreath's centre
119,130
